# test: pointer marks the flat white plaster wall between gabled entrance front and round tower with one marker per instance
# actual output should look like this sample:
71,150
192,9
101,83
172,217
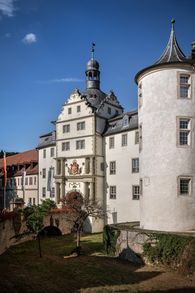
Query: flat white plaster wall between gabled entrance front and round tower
127,209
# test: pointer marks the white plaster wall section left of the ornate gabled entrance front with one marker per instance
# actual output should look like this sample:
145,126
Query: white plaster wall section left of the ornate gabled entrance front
46,163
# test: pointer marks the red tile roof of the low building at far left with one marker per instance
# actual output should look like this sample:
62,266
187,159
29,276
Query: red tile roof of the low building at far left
25,157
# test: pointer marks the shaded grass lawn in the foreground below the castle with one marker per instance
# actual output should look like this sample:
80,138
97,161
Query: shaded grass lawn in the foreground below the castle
22,270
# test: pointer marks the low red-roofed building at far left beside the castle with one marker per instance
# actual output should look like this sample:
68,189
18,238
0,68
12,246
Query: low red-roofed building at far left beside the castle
22,179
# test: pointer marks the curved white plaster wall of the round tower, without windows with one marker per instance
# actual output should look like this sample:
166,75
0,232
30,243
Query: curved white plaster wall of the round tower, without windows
161,161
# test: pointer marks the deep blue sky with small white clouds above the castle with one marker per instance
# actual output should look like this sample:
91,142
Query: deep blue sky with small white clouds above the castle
45,45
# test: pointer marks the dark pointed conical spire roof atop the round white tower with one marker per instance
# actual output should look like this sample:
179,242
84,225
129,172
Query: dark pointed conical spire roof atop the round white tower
172,52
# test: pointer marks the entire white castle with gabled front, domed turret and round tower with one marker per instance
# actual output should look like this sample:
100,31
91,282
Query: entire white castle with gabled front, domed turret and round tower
139,169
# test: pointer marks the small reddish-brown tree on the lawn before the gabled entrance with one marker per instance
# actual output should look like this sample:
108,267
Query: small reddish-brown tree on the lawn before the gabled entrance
77,209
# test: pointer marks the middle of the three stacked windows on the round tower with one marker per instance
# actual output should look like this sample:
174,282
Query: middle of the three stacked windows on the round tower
184,131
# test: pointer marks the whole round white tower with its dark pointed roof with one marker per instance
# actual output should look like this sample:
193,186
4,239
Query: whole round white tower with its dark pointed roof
166,93
